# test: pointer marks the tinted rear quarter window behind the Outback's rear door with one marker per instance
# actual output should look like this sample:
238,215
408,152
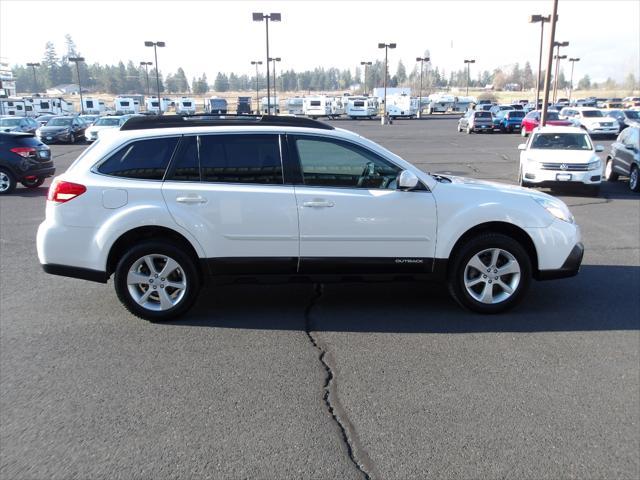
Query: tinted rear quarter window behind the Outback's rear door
142,159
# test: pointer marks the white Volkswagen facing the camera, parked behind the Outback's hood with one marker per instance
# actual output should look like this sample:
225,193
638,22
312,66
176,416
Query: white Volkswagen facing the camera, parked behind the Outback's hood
560,155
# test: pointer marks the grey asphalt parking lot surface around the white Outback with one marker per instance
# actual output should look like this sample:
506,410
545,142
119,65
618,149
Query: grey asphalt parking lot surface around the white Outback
389,381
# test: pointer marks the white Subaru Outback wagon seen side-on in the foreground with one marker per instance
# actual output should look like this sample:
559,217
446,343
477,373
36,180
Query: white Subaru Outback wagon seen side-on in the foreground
166,202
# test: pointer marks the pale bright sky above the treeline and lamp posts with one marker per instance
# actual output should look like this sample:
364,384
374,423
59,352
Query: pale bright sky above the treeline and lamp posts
212,36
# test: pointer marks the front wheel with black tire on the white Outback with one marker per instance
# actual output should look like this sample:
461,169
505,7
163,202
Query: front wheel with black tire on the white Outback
482,247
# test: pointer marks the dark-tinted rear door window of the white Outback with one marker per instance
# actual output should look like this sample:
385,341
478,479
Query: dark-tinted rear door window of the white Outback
241,159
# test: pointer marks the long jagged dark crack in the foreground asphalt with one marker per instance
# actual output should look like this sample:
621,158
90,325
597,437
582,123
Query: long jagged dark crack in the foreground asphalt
357,454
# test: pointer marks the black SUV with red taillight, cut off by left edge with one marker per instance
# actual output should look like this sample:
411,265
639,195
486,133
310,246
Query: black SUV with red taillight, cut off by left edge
24,159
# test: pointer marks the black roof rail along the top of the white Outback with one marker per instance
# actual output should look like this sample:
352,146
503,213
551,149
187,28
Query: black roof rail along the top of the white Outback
207,120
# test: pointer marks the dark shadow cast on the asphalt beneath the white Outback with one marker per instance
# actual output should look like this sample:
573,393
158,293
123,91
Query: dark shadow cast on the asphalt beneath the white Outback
600,298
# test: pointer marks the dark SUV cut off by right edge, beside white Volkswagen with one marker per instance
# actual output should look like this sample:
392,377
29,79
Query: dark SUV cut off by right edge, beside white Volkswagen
624,158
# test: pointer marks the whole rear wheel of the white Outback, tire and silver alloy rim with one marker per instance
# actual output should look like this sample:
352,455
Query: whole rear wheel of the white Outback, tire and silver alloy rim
156,281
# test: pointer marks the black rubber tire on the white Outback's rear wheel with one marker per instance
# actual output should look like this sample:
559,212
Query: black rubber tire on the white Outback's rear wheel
186,271
